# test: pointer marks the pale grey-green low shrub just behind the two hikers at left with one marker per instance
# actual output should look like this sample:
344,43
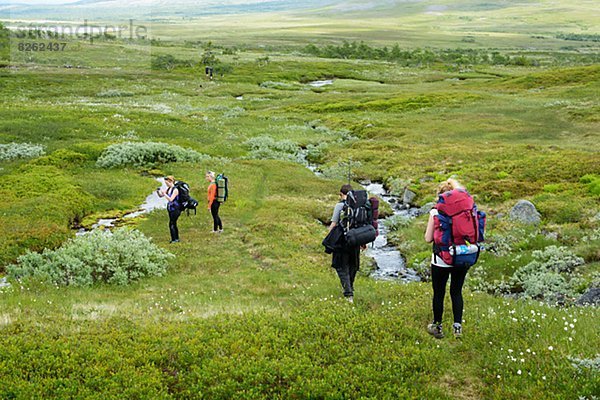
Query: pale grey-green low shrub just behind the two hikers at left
146,154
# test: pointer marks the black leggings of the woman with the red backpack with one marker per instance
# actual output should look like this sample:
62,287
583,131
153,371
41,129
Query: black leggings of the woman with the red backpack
439,278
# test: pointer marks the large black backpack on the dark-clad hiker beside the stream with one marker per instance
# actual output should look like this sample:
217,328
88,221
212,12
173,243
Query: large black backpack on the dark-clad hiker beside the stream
358,219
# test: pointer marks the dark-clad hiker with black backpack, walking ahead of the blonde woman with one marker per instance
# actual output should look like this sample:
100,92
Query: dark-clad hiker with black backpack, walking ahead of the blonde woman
350,230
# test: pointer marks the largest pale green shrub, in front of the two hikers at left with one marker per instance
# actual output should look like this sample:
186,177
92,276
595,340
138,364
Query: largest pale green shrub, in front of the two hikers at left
99,257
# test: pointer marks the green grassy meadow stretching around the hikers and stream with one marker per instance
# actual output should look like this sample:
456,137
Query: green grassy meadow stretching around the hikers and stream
257,312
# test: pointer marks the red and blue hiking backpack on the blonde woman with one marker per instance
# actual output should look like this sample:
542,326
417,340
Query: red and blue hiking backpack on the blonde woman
459,229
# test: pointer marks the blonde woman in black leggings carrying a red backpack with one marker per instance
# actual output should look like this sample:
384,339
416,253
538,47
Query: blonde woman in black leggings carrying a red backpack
456,228
